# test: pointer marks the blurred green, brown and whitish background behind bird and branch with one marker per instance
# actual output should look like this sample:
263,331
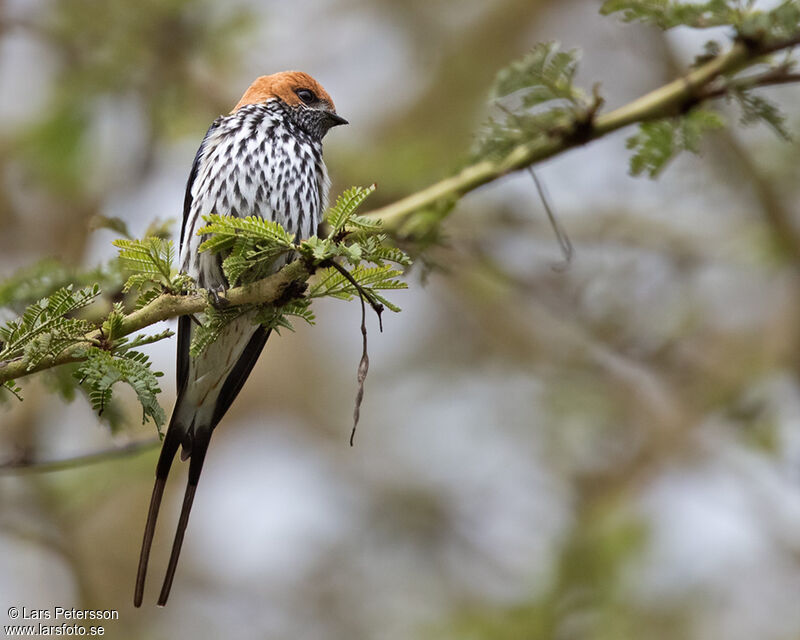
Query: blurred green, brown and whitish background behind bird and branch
608,451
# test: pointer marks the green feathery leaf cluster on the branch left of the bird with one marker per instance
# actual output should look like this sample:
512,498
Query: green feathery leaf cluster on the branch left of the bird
67,318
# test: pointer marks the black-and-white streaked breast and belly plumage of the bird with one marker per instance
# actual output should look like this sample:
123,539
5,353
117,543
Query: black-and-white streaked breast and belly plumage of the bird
278,174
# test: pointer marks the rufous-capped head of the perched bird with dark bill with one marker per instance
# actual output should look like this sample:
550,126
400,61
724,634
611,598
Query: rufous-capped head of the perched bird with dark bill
299,91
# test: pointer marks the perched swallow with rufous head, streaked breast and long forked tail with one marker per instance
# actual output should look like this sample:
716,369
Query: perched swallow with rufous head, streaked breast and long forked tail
263,159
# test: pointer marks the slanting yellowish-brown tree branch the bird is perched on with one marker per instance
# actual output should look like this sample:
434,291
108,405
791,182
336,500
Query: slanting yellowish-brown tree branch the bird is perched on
669,100
